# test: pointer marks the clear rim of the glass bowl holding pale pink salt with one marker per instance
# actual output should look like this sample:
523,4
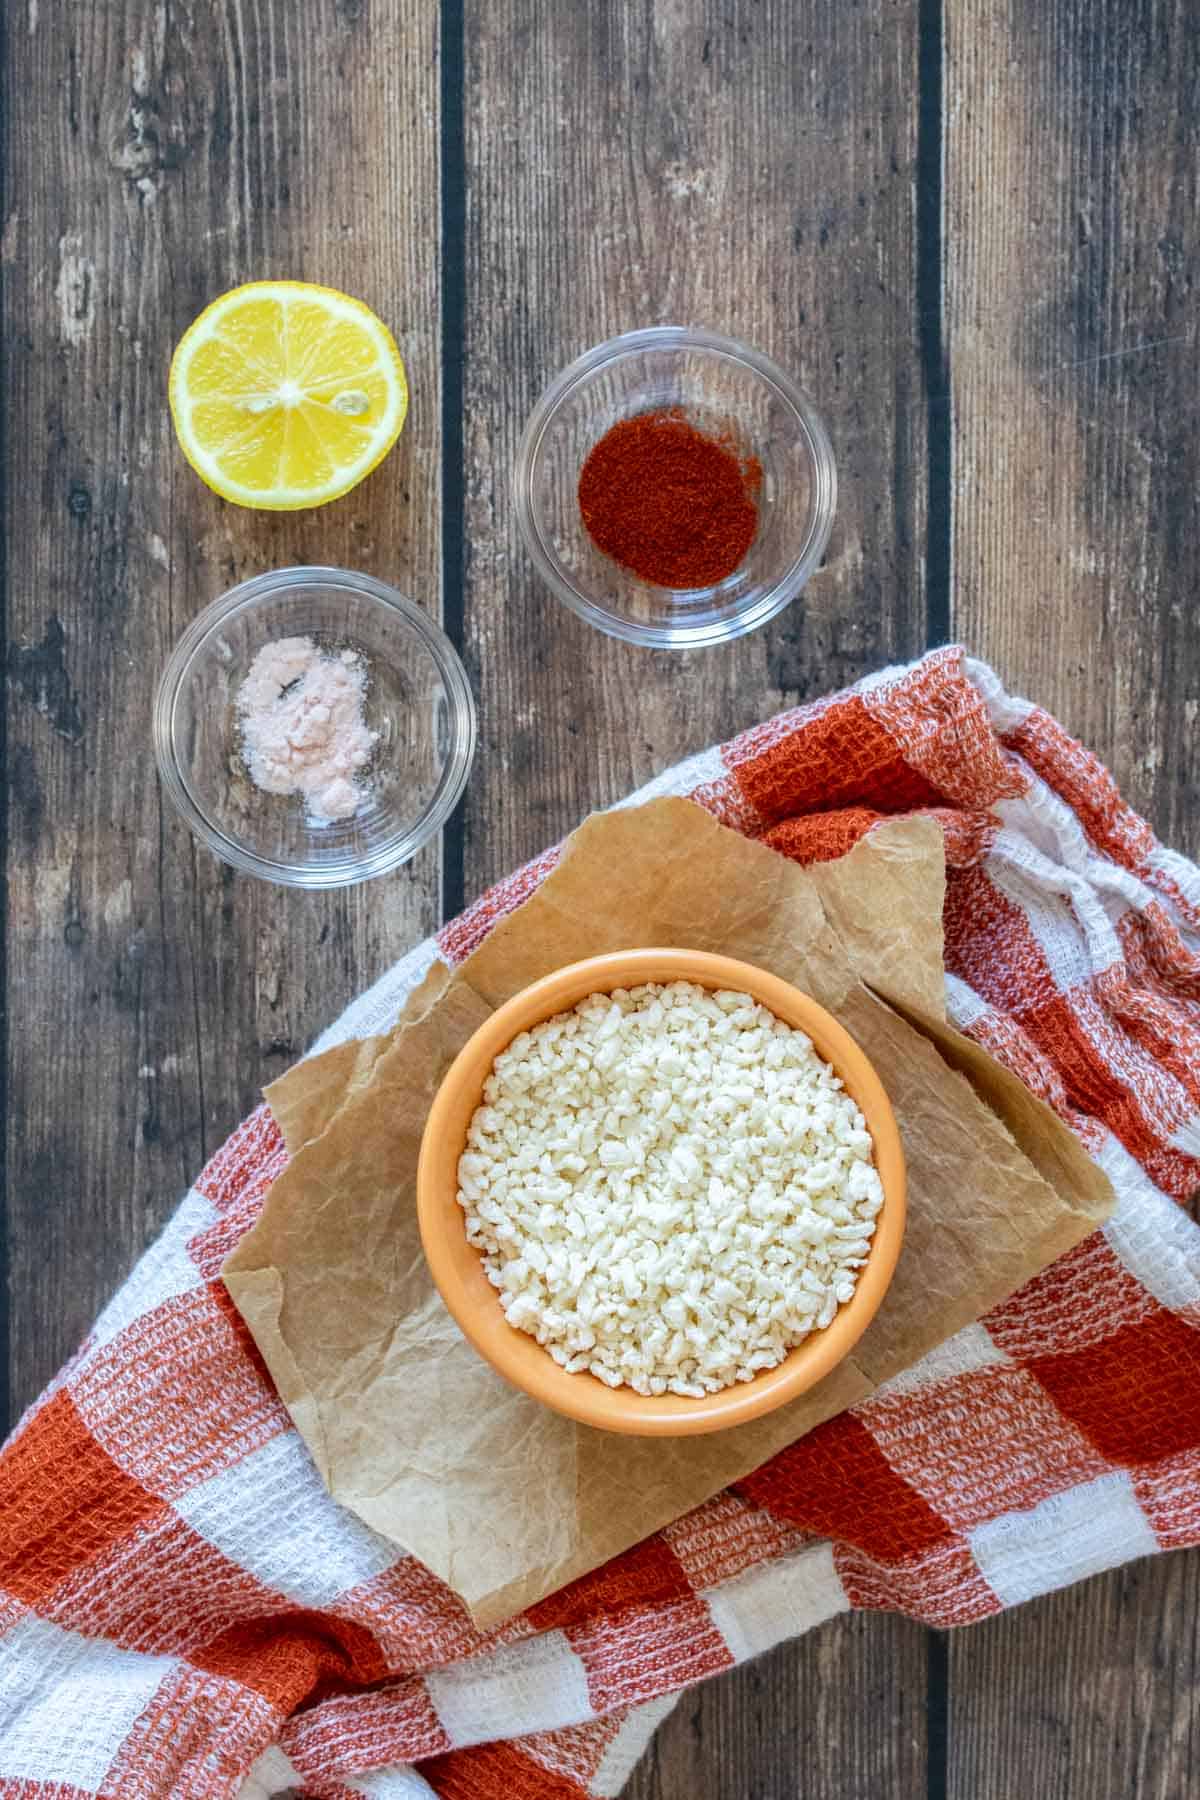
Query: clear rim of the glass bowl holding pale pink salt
463,726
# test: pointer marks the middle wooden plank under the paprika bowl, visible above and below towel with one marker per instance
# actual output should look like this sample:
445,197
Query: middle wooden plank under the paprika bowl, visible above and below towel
749,168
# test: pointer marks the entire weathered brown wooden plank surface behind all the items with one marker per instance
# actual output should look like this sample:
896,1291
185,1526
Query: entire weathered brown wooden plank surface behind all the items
972,231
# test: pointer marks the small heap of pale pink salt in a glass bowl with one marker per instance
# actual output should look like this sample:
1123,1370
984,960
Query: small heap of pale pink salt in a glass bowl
303,726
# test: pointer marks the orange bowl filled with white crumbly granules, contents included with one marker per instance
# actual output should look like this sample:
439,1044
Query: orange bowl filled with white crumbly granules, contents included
663,1192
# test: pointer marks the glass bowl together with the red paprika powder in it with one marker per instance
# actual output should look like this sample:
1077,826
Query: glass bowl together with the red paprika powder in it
676,489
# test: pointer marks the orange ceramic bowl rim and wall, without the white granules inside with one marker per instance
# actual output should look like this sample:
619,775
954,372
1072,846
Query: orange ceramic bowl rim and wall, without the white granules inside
458,1266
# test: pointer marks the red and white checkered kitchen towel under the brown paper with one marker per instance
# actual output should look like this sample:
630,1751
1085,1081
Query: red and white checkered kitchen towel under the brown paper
184,1610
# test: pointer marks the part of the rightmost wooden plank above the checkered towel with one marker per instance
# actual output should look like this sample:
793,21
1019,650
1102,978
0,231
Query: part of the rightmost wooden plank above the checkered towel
1073,283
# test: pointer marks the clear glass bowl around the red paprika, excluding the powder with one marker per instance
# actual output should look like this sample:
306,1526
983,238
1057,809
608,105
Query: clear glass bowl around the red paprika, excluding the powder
722,386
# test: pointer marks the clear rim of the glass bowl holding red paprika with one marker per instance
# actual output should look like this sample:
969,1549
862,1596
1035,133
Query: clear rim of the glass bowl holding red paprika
825,489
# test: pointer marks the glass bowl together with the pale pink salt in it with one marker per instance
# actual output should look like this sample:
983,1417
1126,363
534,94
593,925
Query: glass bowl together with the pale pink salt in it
316,728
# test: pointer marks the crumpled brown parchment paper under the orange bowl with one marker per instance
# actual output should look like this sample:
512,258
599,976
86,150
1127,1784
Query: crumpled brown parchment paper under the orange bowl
409,1428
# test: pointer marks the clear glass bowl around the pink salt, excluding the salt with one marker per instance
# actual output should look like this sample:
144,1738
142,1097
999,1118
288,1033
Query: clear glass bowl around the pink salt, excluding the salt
418,701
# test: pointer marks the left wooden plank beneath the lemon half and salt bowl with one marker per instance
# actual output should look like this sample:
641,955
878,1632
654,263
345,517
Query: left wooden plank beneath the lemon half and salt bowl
156,157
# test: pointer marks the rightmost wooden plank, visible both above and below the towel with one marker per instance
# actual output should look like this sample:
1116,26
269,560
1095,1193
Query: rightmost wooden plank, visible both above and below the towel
1071,264
